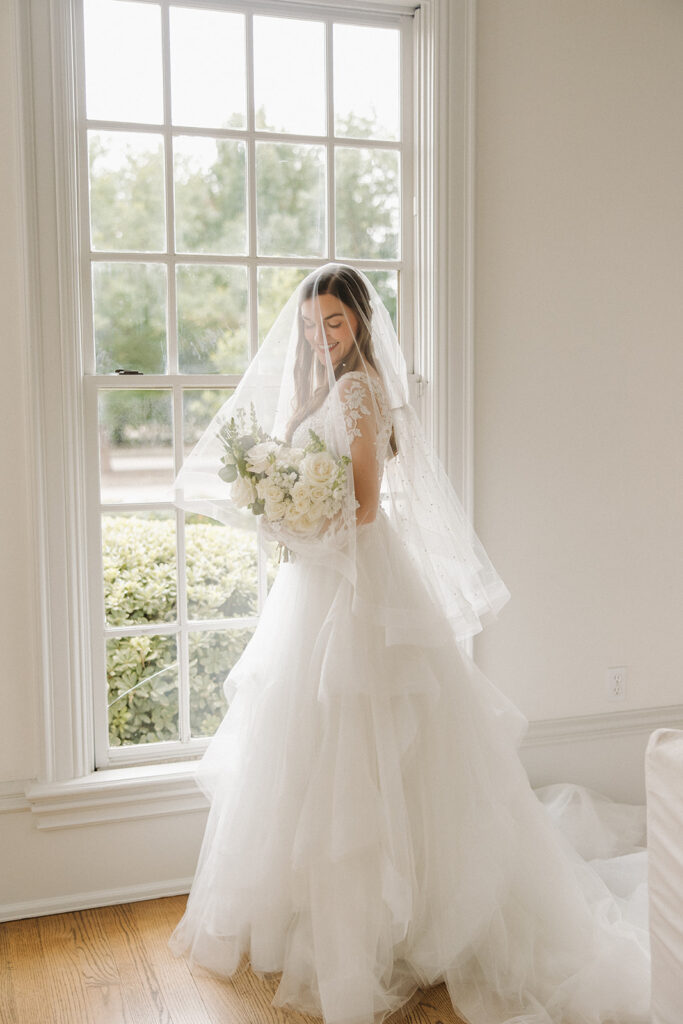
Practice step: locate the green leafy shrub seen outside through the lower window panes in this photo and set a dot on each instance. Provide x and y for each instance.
(139, 557)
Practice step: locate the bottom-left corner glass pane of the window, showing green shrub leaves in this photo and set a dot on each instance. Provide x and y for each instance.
(143, 682)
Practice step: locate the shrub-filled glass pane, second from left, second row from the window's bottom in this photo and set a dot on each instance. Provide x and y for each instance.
(221, 565)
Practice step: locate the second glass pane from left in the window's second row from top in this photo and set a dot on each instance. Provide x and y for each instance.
(210, 196)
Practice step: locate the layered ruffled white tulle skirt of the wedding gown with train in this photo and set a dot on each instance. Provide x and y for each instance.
(372, 830)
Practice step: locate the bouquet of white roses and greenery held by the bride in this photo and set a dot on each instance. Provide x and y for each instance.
(298, 488)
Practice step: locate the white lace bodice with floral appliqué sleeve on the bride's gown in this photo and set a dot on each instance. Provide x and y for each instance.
(358, 404)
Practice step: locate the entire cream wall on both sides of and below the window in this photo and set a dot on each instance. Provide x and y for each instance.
(579, 317)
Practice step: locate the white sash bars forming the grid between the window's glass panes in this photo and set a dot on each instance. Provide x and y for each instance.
(177, 382)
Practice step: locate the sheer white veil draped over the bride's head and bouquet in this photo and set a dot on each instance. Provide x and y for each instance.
(286, 389)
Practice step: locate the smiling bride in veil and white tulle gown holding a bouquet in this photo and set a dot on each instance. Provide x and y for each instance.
(372, 830)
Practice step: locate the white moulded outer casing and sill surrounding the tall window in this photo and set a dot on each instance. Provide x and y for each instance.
(68, 791)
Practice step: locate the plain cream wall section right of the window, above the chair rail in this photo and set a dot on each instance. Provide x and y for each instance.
(580, 348)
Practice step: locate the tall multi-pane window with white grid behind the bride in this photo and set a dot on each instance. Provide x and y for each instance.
(225, 152)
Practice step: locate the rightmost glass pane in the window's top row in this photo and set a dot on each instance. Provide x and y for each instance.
(367, 89)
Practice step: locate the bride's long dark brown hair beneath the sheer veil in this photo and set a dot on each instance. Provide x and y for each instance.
(311, 379)
